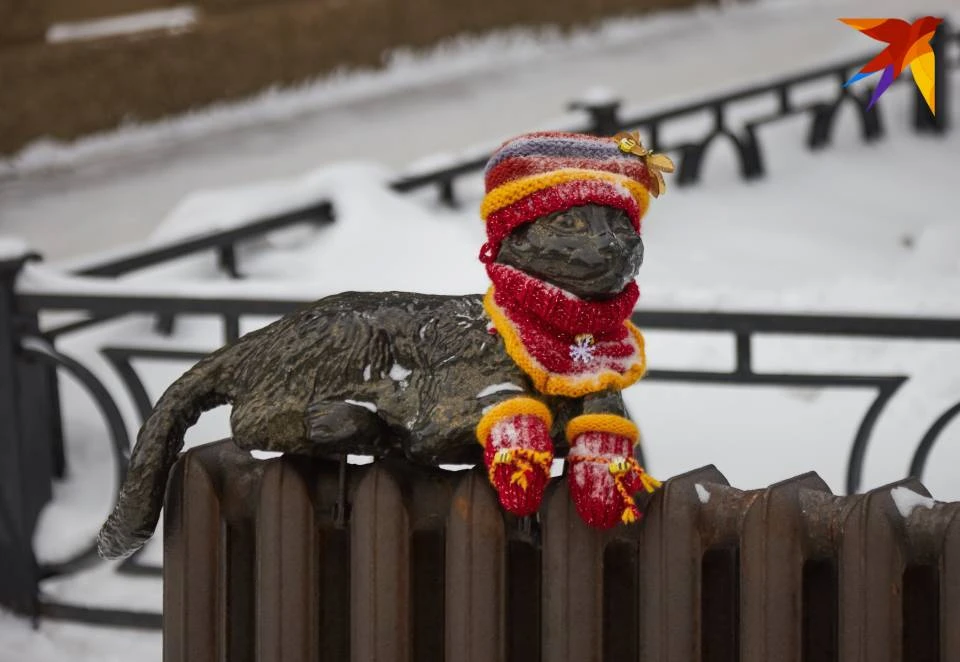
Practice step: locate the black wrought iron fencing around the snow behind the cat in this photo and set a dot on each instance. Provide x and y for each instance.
(30, 433)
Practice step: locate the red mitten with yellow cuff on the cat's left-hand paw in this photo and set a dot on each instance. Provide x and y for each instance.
(518, 452)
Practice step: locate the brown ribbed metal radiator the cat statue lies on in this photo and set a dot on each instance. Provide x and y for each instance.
(297, 560)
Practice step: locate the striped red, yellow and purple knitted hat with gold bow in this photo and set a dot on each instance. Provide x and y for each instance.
(540, 173)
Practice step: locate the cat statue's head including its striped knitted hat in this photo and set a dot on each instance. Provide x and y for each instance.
(566, 208)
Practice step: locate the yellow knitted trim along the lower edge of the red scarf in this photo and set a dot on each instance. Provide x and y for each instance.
(571, 386)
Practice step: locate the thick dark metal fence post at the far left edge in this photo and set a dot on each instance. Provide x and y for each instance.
(18, 507)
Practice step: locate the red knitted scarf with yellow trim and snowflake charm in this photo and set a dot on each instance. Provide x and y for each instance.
(568, 346)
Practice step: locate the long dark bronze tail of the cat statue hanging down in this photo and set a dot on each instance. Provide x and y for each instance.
(135, 516)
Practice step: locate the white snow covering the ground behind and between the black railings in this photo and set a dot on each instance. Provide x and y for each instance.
(856, 228)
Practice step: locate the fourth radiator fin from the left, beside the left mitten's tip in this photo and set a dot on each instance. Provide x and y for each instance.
(475, 570)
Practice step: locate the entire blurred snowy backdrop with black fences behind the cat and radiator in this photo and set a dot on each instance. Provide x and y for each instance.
(190, 172)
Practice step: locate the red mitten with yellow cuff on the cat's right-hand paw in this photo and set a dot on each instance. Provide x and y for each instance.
(603, 473)
